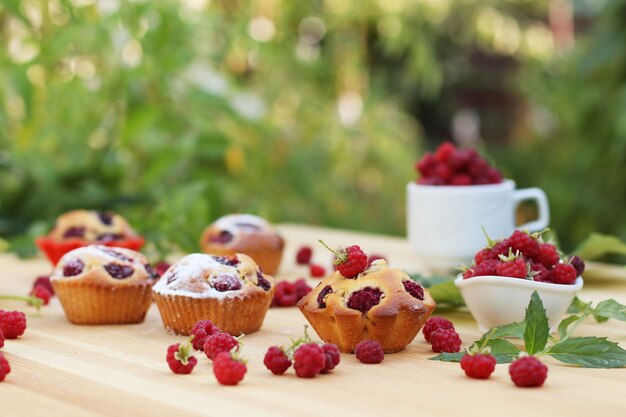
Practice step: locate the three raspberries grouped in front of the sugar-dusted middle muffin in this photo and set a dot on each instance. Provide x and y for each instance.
(221, 348)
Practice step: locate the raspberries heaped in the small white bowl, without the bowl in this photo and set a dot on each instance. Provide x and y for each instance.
(527, 256)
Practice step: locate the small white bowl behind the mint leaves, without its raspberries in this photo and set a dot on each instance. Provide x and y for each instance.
(494, 301)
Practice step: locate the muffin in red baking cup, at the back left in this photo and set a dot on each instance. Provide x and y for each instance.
(86, 227)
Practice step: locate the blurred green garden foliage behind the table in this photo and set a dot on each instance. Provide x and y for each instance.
(174, 113)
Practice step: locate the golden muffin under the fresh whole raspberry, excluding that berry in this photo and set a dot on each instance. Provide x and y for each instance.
(380, 303)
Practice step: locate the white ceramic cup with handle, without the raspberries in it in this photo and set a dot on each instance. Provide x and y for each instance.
(444, 223)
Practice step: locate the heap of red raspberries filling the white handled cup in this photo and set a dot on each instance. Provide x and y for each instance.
(452, 166)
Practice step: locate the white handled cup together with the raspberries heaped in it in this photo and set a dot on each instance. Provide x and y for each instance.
(456, 193)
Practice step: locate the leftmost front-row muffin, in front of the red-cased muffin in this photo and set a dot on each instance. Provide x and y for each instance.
(102, 285)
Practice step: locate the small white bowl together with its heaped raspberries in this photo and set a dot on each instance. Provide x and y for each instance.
(498, 285)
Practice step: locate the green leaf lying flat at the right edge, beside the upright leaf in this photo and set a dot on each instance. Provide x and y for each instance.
(589, 352)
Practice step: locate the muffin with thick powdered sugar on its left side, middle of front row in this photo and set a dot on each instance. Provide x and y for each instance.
(231, 291)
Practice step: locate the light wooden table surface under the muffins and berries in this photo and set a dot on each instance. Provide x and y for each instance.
(59, 369)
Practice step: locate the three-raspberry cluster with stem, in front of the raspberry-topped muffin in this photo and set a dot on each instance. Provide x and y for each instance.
(308, 358)
